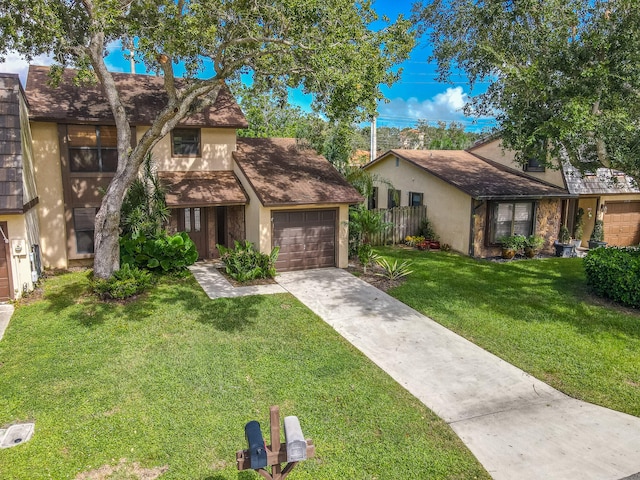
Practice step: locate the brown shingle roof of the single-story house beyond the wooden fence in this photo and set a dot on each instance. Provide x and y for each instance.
(479, 178)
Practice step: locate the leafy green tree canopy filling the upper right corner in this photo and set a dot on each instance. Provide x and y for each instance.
(563, 75)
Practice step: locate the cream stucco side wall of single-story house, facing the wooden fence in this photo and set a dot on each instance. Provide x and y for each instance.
(448, 208)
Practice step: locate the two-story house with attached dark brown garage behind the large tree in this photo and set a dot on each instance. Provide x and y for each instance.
(219, 189)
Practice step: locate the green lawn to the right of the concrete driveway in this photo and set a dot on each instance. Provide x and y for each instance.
(536, 314)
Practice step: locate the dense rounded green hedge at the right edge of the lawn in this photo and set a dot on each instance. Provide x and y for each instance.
(615, 273)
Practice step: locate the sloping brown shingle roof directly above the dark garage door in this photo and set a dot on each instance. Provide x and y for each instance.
(282, 174)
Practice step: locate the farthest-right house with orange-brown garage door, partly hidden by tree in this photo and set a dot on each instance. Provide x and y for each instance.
(608, 194)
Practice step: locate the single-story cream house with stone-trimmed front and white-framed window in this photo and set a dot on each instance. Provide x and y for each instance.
(472, 202)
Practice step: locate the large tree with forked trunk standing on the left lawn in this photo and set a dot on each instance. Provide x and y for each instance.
(326, 47)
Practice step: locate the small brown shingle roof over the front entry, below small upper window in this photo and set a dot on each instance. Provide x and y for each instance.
(197, 189)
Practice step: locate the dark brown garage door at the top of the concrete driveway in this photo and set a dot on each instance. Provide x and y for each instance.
(307, 239)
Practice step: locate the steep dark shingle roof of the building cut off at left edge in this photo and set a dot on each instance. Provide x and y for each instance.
(11, 188)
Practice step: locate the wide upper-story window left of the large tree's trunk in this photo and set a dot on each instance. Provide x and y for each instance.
(92, 148)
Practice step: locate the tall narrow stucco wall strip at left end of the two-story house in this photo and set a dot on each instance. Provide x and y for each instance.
(48, 176)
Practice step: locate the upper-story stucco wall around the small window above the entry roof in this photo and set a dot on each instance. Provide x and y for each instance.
(217, 146)
